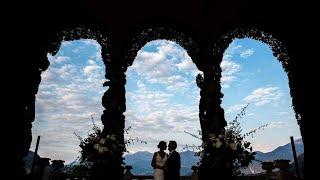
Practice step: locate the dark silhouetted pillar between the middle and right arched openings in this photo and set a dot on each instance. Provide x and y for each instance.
(213, 163)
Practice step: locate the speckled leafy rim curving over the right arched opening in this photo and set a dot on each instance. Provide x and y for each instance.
(279, 50)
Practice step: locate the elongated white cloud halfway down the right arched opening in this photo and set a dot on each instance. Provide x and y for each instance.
(263, 96)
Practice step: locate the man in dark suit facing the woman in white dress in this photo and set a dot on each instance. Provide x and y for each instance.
(173, 162)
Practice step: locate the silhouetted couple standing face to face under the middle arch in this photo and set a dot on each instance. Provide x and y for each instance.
(166, 166)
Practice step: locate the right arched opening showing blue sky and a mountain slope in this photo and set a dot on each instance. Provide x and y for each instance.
(252, 75)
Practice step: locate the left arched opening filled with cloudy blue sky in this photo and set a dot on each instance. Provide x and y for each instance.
(69, 94)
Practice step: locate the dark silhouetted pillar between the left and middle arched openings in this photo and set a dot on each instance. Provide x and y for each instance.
(112, 118)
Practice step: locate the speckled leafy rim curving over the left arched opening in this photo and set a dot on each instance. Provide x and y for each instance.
(52, 45)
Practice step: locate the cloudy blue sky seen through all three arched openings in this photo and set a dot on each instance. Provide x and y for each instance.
(162, 96)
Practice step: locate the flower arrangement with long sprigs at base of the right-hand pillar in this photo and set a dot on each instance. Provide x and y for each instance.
(228, 146)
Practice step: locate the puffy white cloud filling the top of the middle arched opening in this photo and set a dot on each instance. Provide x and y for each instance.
(168, 65)
